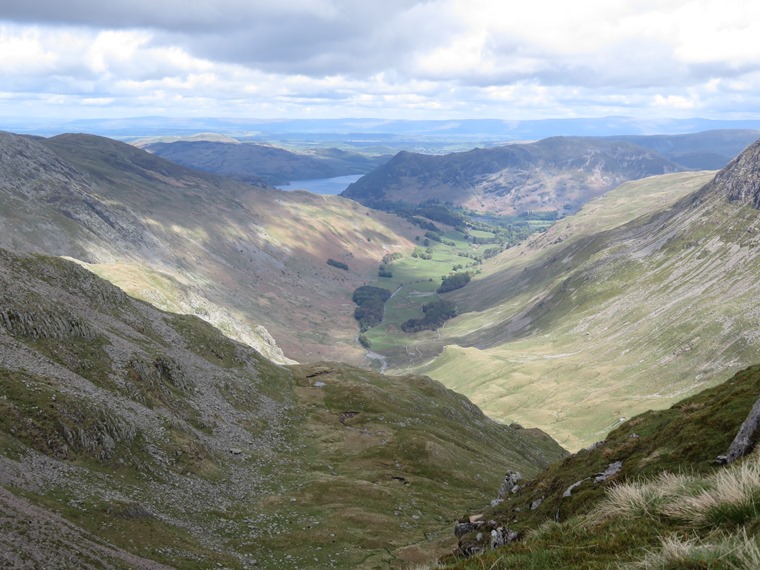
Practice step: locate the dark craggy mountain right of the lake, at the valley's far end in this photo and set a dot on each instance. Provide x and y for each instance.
(558, 174)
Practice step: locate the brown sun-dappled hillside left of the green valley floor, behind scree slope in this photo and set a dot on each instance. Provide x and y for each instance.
(249, 259)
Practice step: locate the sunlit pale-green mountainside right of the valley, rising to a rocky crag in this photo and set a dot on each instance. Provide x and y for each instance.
(593, 322)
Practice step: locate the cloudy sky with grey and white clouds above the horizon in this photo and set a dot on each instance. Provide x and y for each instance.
(391, 59)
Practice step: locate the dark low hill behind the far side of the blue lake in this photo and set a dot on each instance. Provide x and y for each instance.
(257, 162)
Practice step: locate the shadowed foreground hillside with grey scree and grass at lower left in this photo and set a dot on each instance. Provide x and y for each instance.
(130, 437)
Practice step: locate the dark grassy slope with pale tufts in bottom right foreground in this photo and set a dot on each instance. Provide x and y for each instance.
(618, 521)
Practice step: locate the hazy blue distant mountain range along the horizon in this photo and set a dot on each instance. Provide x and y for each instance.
(358, 129)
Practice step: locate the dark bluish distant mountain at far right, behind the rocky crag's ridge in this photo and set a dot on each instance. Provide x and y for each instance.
(708, 150)
